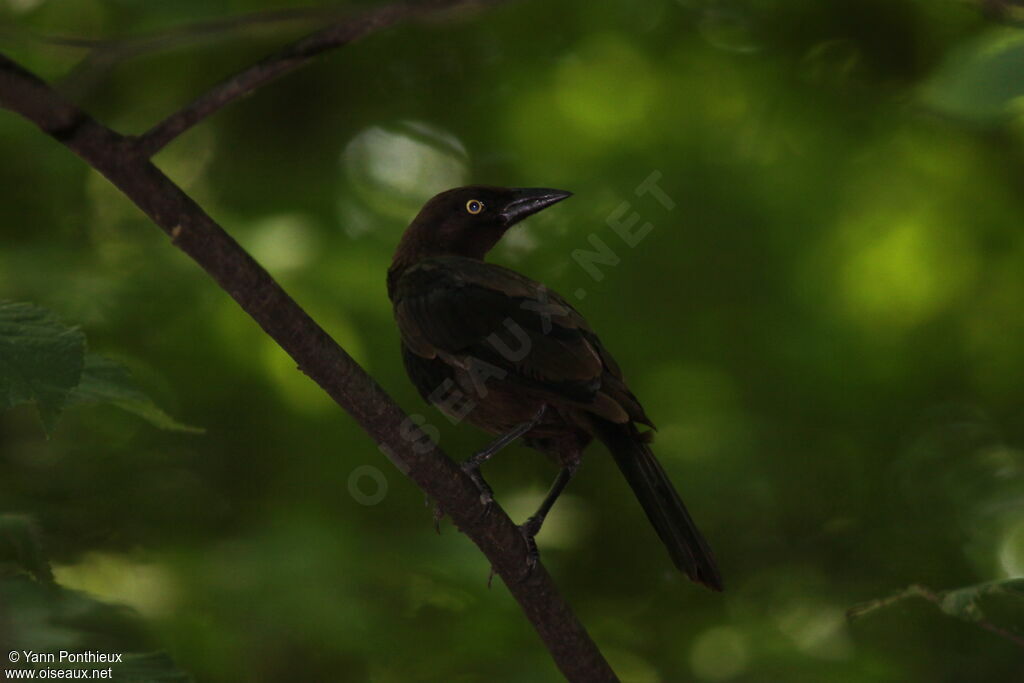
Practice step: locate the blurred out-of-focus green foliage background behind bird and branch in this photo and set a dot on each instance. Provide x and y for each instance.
(826, 326)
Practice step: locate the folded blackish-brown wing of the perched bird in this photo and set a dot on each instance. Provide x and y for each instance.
(463, 311)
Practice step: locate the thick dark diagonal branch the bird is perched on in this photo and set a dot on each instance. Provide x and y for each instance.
(317, 355)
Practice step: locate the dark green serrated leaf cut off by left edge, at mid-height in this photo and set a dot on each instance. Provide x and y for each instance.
(41, 360)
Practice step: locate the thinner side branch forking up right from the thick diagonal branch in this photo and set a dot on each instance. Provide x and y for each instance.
(290, 58)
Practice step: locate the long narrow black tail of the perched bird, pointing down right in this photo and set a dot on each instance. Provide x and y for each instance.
(689, 549)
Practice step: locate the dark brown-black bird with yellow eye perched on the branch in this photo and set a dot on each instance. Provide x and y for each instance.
(490, 347)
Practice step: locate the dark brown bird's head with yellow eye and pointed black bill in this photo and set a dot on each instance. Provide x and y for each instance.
(468, 222)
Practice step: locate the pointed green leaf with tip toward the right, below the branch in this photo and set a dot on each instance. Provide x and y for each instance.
(108, 381)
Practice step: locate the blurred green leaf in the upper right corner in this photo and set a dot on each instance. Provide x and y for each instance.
(980, 82)
